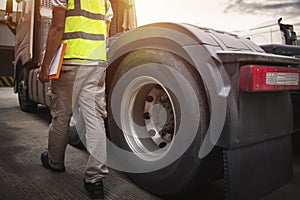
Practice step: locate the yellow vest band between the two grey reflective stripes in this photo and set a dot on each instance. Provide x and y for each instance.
(82, 24)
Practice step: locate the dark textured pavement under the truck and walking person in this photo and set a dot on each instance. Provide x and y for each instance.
(23, 137)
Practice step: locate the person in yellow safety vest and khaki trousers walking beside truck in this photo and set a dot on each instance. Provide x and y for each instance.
(81, 24)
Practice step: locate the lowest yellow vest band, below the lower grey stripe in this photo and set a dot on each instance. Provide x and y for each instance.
(89, 49)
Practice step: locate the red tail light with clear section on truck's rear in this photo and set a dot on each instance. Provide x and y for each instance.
(255, 78)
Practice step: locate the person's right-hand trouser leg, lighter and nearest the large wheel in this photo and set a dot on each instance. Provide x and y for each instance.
(90, 82)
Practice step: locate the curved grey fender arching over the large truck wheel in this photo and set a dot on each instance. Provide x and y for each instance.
(190, 43)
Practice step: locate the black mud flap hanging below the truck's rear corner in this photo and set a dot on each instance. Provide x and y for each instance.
(253, 171)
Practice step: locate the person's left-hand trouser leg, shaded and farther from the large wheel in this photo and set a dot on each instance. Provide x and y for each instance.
(61, 112)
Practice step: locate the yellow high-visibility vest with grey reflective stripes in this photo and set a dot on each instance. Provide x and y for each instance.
(85, 29)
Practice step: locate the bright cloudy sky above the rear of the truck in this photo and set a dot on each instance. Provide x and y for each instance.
(227, 15)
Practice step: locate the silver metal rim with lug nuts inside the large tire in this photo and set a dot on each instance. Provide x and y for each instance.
(148, 118)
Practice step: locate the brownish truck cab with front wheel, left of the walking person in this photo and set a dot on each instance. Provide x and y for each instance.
(33, 22)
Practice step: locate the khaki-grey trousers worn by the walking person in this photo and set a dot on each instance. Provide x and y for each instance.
(80, 89)
